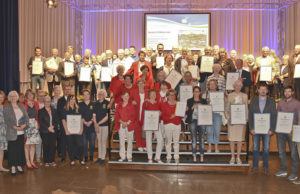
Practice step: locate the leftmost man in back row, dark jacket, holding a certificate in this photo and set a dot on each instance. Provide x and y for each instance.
(37, 78)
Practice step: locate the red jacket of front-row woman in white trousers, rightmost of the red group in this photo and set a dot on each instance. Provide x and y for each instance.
(167, 111)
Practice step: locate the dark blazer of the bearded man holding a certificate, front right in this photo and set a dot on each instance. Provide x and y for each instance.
(270, 107)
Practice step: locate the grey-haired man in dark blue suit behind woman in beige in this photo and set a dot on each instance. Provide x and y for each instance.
(244, 76)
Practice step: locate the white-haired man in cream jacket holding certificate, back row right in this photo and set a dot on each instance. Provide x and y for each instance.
(267, 61)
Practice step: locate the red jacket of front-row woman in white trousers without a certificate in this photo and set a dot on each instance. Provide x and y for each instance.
(125, 114)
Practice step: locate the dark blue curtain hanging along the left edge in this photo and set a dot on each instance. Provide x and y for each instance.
(9, 46)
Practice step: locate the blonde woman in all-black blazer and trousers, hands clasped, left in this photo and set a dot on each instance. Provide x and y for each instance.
(48, 121)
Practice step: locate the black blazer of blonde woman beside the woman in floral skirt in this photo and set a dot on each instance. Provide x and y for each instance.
(44, 120)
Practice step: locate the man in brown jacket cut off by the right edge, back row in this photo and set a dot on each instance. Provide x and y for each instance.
(293, 60)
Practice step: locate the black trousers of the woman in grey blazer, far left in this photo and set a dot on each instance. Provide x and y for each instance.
(16, 153)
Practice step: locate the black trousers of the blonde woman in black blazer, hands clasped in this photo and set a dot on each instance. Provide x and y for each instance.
(49, 140)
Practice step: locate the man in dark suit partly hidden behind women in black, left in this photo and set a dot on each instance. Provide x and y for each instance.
(61, 137)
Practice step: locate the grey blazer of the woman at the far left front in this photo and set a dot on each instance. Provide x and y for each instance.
(11, 121)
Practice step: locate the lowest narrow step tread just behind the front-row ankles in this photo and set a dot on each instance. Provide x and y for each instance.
(182, 152)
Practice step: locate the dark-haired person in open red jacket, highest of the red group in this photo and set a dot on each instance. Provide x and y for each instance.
(135, 68)
